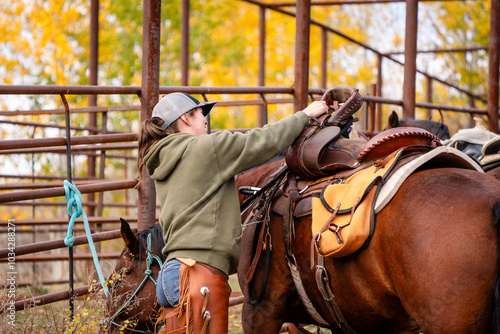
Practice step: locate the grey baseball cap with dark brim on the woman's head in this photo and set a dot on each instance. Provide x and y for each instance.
(174, 105)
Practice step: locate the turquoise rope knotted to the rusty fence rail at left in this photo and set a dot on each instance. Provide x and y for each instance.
(75, 210)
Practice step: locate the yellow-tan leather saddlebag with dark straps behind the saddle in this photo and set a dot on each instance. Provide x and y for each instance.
(342, 214)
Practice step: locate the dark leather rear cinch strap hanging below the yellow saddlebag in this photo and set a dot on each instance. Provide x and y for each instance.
(324, 287)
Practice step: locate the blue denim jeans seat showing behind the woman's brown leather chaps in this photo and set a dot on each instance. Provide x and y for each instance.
(167, 285)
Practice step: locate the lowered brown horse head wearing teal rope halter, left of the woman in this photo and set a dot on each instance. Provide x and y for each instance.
(132, 287)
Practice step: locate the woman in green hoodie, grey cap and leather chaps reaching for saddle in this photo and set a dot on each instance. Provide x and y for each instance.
(200, 216)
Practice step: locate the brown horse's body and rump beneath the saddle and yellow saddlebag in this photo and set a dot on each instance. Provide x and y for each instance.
(431, 264)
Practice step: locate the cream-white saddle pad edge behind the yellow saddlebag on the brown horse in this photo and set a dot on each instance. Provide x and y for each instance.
(443, 156)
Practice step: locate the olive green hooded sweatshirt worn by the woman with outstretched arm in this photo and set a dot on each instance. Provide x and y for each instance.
(194, 177)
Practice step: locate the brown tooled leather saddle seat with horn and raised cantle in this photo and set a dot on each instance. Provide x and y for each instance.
(329, 145)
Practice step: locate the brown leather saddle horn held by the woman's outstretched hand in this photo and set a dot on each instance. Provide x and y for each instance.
(349, 96)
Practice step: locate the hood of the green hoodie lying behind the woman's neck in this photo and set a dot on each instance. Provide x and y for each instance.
(165, 154)
